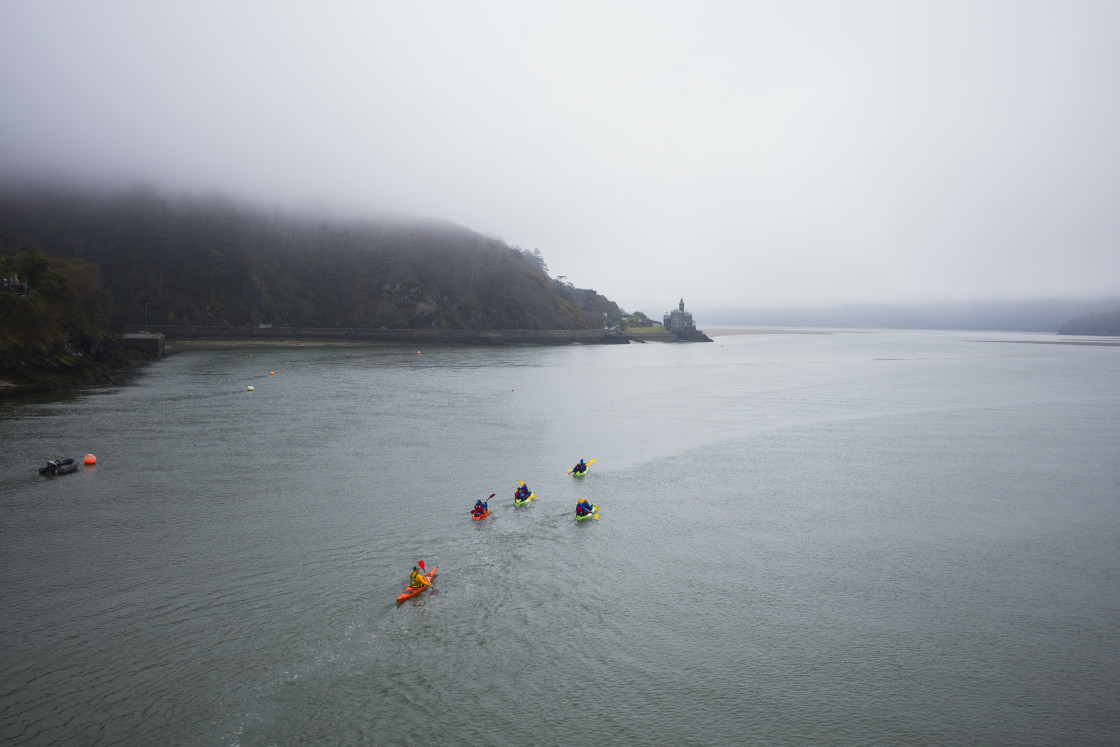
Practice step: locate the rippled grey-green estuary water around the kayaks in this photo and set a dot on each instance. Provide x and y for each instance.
(836, 539)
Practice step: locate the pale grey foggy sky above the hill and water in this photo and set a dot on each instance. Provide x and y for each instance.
(736, 154)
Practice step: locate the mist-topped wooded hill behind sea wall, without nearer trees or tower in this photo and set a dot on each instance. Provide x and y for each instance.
(208, 260)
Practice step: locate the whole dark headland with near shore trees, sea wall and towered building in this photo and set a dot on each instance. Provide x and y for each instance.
(94, 282)
